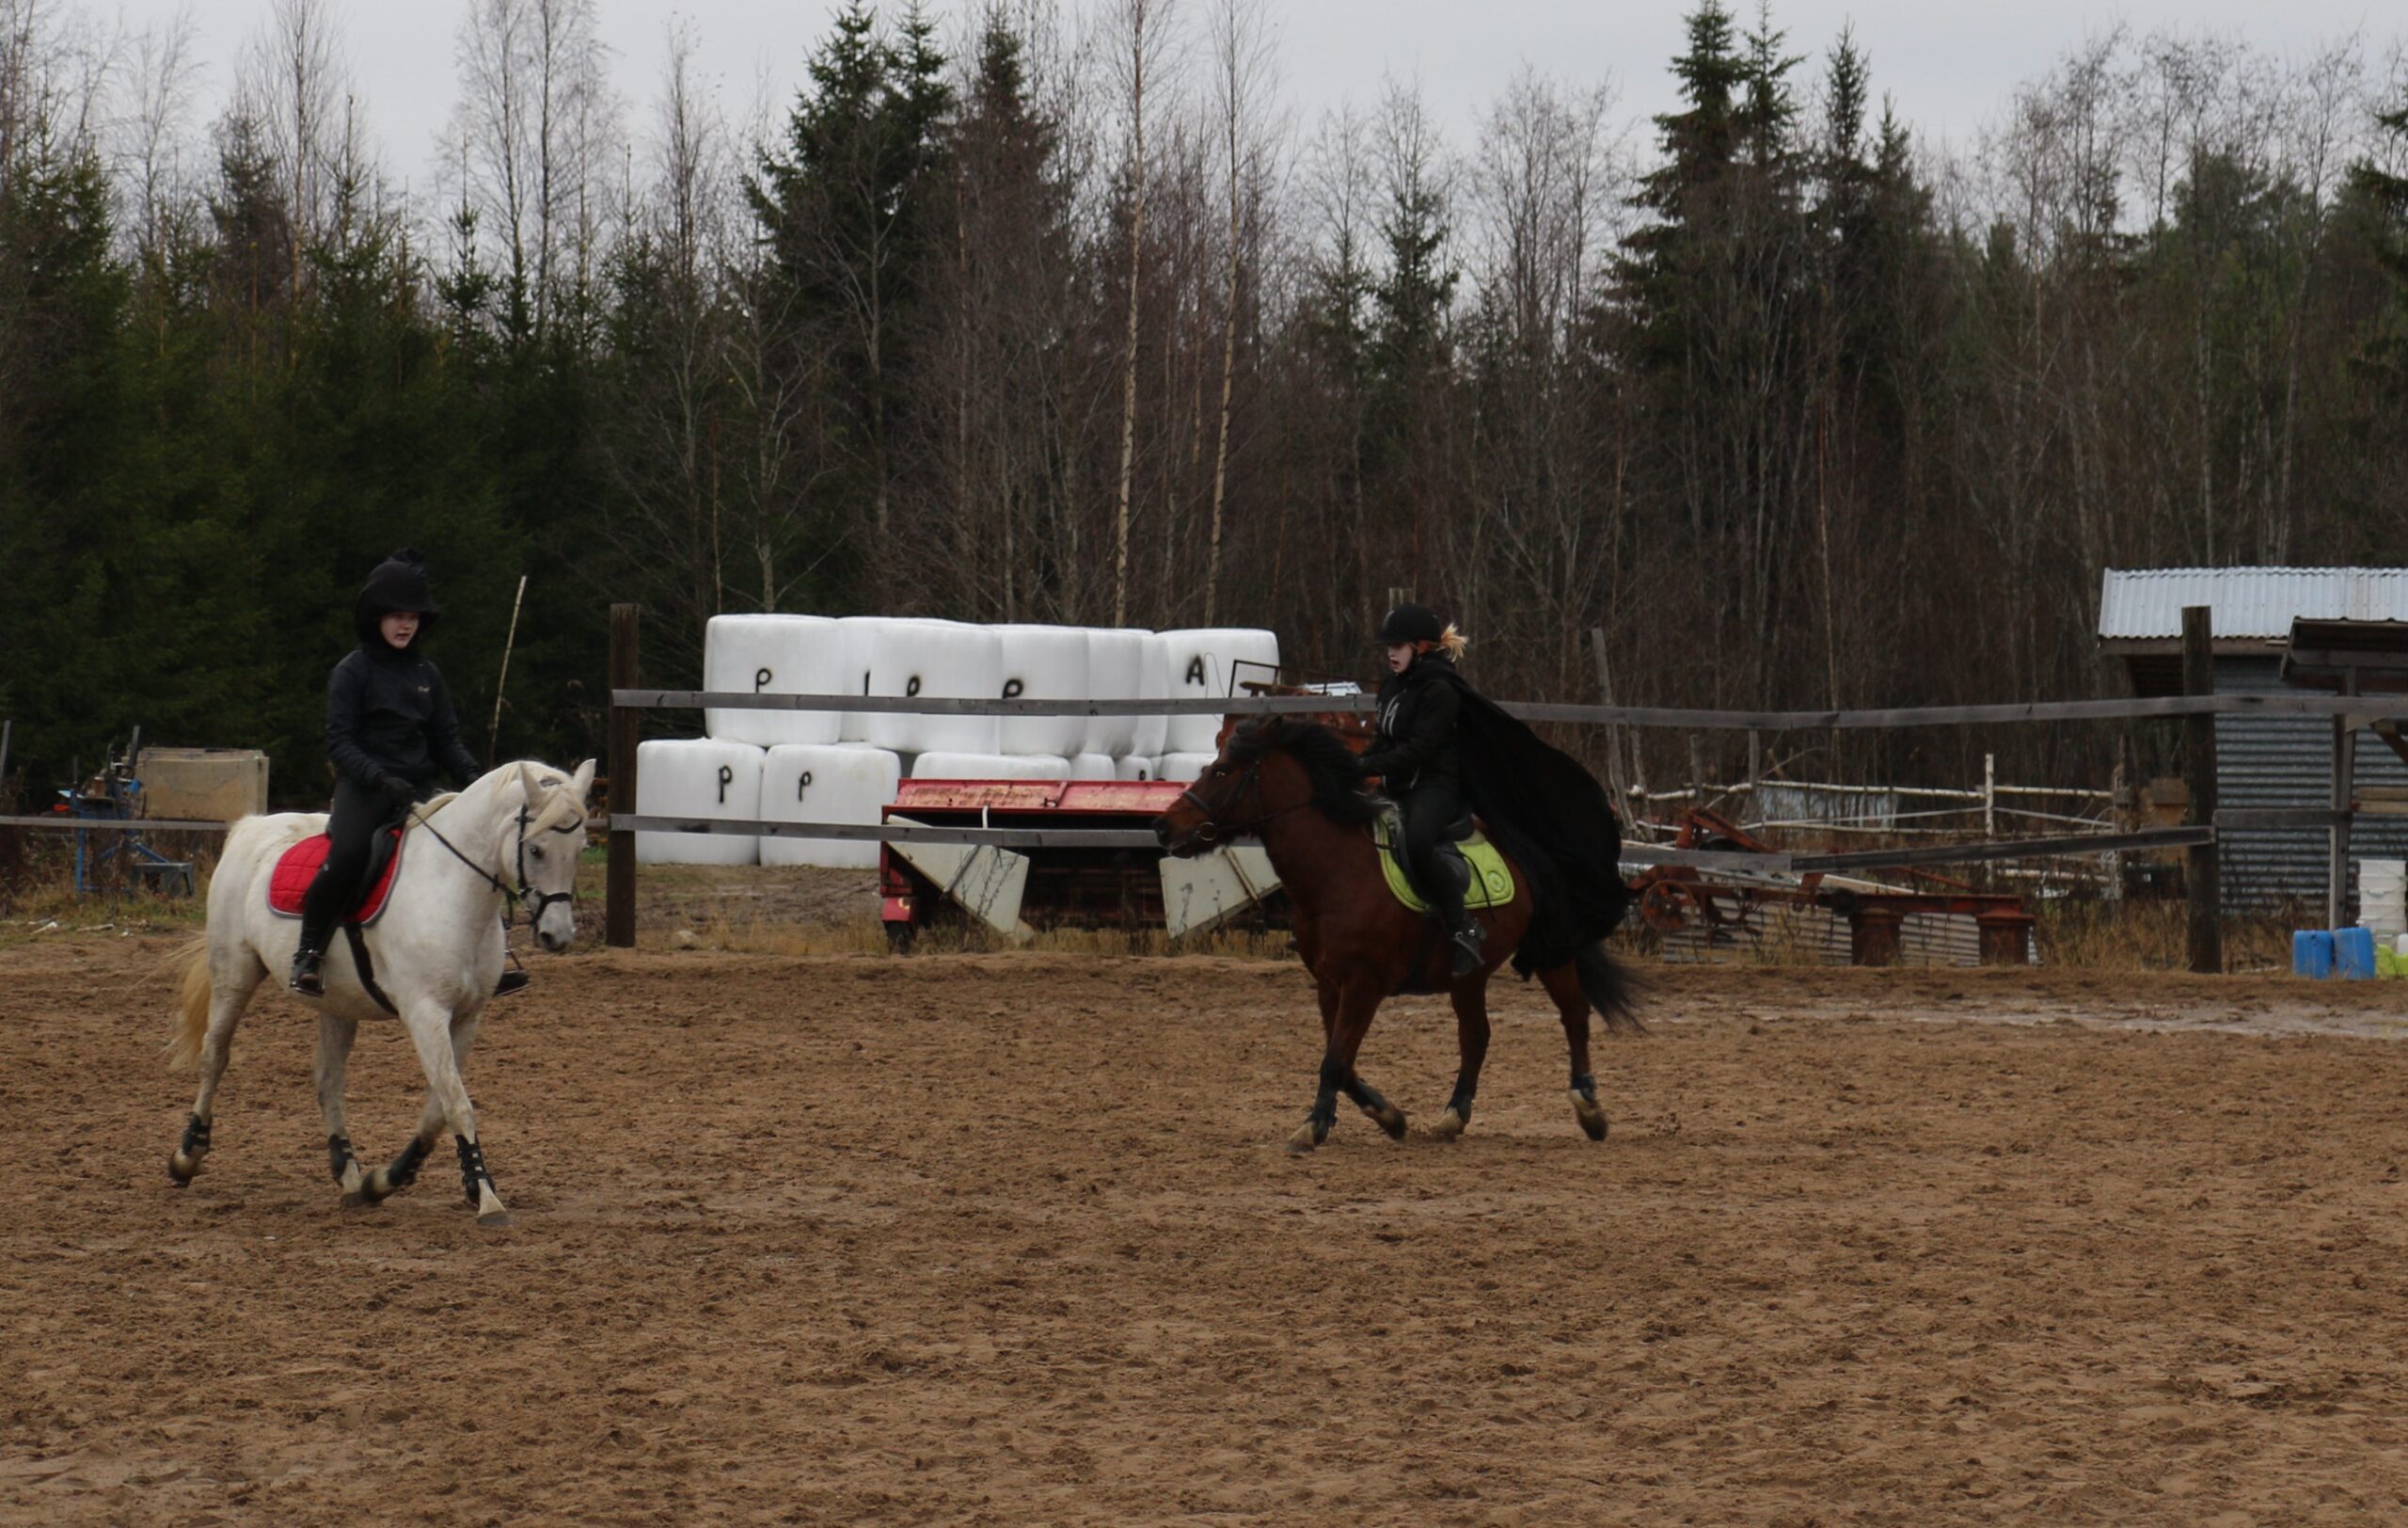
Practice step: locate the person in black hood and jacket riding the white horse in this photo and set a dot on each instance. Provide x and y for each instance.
(391, 731)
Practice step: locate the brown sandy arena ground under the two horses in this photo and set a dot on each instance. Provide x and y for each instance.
(1010, 1240)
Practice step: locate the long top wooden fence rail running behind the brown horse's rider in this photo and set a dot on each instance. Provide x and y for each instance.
(1636, 717)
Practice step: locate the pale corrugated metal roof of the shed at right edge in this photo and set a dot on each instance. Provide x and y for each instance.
(2248, 604)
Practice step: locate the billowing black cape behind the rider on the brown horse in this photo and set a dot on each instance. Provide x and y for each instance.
(1552, 818)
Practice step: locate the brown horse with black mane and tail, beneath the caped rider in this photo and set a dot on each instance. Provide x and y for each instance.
(1294, 787)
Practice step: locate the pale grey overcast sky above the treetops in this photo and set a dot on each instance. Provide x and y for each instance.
(1949, 64)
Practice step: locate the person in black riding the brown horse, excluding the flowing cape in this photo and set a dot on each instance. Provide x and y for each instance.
(1420, 760)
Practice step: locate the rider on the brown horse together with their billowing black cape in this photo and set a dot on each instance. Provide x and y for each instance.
(1444, 748)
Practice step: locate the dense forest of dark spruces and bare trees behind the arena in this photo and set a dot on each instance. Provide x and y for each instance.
(1068, 312)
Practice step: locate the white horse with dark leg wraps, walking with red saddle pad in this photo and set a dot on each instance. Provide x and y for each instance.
(437, 953)
